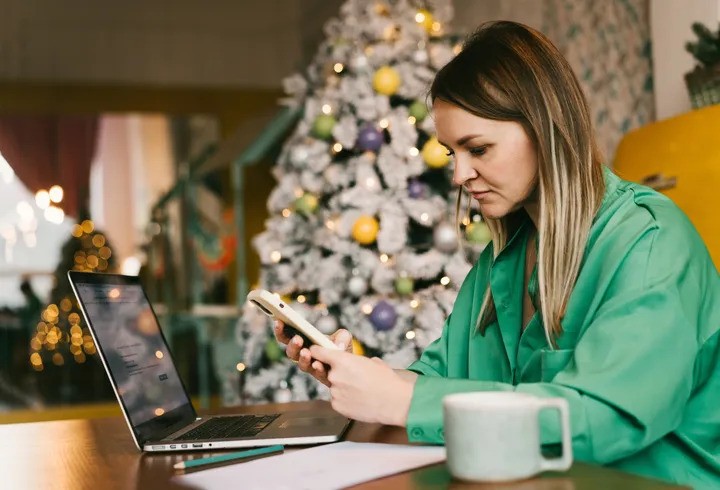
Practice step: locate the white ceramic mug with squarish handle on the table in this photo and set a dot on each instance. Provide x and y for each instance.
(495, 436)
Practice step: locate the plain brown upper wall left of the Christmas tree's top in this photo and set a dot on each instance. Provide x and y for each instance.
(177, 42)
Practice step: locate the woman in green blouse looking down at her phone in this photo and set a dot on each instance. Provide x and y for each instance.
(593, 289)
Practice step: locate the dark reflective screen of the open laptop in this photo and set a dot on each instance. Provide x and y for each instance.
(134, 350)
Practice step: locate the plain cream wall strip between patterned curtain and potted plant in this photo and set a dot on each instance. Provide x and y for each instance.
(670, 22)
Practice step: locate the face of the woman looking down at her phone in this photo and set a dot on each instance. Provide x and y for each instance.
(494, 160)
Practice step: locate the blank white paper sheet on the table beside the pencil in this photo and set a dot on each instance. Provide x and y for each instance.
(331, 466)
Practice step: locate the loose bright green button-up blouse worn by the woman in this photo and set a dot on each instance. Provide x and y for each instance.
(639, 357)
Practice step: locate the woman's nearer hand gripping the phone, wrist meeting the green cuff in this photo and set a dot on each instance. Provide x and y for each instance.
(365, 389)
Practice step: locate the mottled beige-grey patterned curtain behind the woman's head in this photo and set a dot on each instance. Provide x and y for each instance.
(608, 45)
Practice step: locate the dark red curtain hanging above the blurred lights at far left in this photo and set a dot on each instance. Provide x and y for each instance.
(48, 150)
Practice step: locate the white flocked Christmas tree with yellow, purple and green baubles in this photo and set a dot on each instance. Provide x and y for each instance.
(362, 230)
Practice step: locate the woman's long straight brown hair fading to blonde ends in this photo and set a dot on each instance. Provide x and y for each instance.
(510, 72)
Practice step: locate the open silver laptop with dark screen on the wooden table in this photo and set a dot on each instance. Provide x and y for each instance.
(152, 396)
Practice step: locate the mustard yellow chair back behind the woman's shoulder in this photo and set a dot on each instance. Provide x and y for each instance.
(680, 157)
